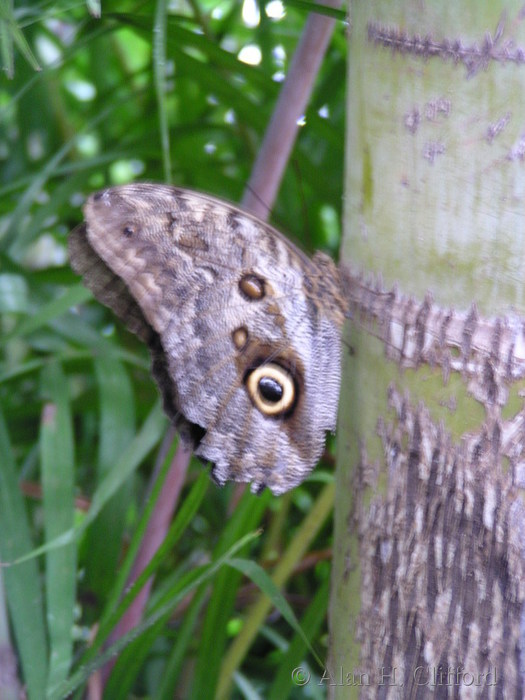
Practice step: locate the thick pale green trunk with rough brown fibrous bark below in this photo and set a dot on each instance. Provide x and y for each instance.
(429, 575)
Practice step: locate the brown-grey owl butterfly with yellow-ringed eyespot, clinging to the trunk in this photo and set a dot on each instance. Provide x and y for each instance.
(243, 328)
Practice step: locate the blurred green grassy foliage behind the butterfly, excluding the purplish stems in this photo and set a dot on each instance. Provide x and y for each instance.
(161, 91)
